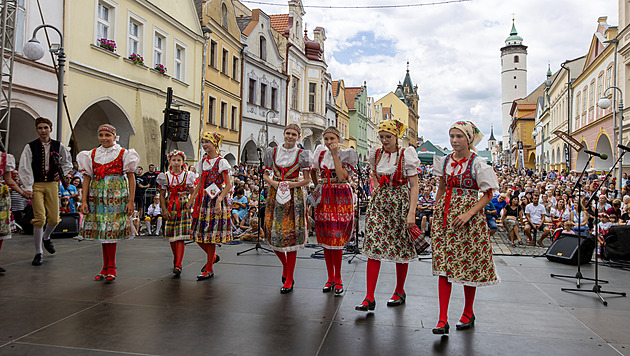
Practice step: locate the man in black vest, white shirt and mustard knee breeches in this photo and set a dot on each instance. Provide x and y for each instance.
(43, 163)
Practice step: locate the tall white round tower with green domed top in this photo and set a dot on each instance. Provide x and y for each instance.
(513, 79)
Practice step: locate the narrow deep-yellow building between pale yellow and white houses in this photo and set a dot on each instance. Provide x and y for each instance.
(223, 87)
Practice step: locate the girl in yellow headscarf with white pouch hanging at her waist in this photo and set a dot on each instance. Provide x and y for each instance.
(211, 222)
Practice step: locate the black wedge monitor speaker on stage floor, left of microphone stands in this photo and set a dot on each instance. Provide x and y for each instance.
(565, 248)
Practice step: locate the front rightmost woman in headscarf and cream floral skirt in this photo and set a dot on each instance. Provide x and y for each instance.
(462, 251)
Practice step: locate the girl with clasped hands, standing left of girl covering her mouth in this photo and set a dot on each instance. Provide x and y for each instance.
(285, 213)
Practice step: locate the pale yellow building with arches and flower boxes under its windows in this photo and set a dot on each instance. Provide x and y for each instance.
(106, 86)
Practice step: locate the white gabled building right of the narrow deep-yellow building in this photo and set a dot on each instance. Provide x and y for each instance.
(264, 86)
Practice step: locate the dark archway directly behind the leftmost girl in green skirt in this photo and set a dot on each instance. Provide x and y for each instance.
(102, 112)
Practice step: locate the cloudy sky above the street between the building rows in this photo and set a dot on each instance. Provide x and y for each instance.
(453, 49)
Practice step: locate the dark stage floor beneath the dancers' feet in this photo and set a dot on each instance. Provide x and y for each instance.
(57, 309)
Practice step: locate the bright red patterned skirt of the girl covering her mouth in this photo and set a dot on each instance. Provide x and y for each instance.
(334, 216)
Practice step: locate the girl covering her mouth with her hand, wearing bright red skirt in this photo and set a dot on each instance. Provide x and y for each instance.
(334, 210)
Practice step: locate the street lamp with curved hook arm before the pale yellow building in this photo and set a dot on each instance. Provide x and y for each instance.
(34, 51)
